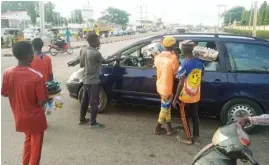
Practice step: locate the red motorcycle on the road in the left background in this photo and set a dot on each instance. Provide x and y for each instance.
(59, 46)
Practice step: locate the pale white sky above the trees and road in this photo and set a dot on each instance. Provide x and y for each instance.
(171, 11)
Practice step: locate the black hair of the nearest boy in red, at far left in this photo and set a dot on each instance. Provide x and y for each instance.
(22, 50)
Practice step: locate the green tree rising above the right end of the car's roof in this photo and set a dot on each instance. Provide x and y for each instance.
(233, 14)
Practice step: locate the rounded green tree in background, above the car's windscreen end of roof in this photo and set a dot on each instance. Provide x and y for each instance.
(117, 16)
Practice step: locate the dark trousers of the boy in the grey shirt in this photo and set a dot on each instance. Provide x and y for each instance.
(90, 97)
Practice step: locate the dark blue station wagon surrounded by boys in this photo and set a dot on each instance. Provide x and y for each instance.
(235, 85)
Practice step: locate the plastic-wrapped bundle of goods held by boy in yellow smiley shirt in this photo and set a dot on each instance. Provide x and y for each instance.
(204, 53)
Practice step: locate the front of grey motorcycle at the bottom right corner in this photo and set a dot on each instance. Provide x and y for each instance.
(229, 143)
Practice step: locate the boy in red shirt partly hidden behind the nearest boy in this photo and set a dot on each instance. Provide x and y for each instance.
(41, 62)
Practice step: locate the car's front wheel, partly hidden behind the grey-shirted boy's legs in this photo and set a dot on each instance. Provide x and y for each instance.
(102, 102)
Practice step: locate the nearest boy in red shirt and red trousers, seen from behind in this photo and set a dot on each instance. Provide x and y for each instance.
(27, 94)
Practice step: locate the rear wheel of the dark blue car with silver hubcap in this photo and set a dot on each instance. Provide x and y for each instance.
(237, 108)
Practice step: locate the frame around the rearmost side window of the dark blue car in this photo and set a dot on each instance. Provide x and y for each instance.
(228, 63)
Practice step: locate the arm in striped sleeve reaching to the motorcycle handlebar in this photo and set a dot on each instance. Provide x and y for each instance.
(255, 120)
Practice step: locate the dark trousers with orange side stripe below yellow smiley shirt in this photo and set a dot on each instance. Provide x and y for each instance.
(190, 110)
